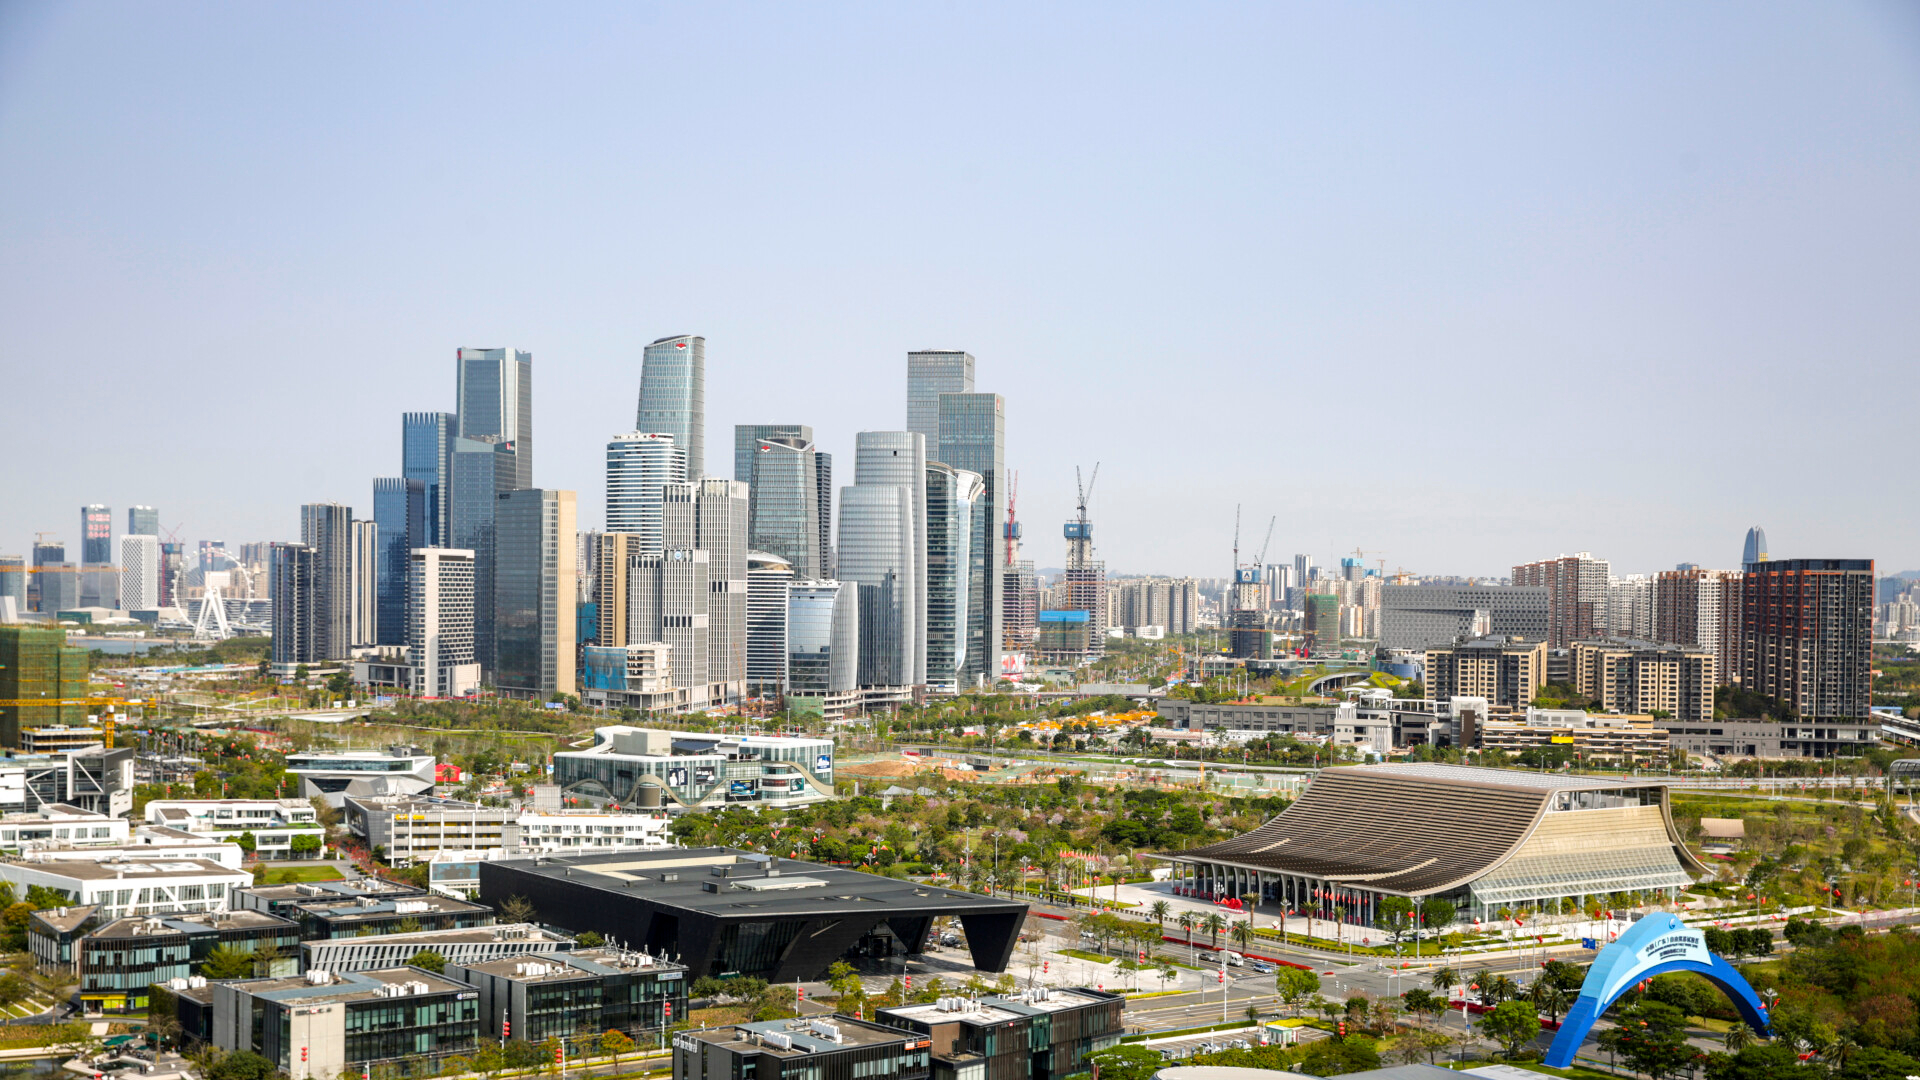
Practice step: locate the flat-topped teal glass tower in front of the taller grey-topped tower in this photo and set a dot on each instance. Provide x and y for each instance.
(974, 439)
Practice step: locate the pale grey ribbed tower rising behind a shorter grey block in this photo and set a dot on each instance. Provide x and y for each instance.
(711, 516)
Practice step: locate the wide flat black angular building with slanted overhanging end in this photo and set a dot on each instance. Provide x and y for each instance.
(725, 912)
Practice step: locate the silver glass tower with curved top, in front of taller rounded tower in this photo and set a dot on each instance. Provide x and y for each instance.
(876, 556)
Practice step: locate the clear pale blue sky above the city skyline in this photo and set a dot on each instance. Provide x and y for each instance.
(1464, 285)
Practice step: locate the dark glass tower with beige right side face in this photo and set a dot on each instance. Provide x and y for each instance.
(535, 593)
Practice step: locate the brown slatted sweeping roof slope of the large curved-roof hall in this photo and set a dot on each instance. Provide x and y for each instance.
(1399, 829)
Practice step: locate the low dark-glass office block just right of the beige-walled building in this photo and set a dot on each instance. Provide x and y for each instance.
(581, 993)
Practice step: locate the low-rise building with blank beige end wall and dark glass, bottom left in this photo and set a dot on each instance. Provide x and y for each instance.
(327, 1025)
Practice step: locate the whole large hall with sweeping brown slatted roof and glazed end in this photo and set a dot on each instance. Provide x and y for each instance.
(1483, 839)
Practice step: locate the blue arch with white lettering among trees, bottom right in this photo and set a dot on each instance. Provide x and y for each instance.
(1658, 945)
